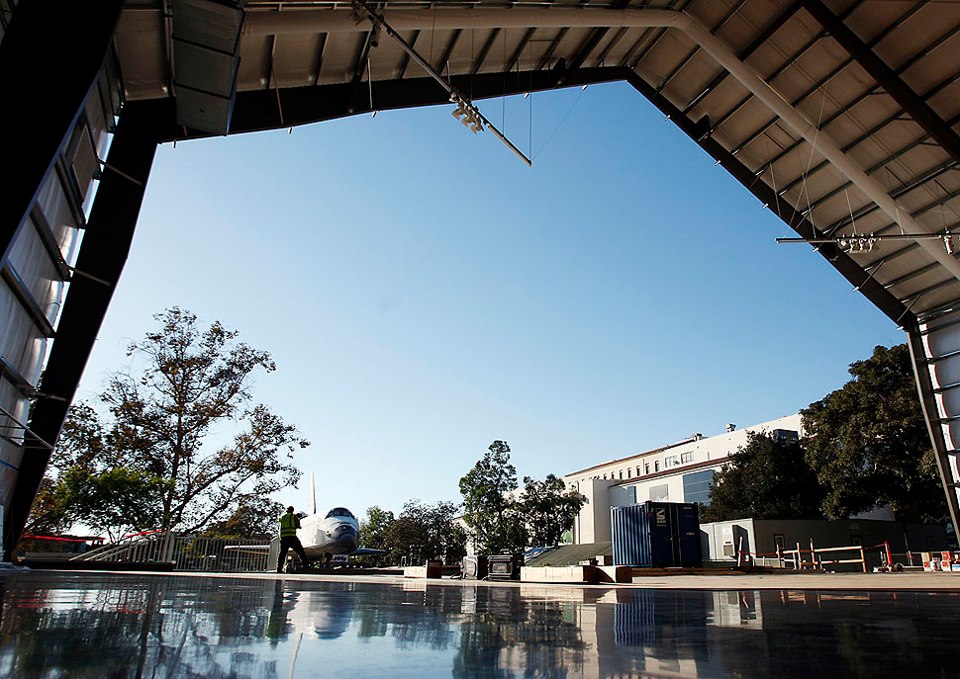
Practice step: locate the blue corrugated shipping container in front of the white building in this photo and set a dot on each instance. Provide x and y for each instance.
(656, 535)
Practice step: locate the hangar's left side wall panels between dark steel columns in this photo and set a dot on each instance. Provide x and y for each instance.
(37, 267)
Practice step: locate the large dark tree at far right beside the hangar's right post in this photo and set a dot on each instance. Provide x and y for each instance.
(868, 442)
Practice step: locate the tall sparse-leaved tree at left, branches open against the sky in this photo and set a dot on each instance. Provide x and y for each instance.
(190, 382)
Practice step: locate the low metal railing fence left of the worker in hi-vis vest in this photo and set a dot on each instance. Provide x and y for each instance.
(186, 552)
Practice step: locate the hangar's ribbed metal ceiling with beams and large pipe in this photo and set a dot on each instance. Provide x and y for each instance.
(848, 130)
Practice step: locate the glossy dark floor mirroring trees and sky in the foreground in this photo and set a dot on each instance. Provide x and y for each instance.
(60, 624)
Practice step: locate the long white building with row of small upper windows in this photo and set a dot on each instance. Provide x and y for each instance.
(679, 472)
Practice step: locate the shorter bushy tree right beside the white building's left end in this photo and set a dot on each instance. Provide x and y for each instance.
(549, 509)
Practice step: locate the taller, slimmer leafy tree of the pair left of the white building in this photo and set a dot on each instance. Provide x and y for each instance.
(492, 515)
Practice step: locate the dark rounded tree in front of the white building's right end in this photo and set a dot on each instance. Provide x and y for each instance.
(768, 478)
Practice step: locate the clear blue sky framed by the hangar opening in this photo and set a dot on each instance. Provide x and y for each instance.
(424, 293)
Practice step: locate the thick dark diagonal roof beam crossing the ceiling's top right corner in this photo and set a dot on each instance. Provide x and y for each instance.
(885, 76)
